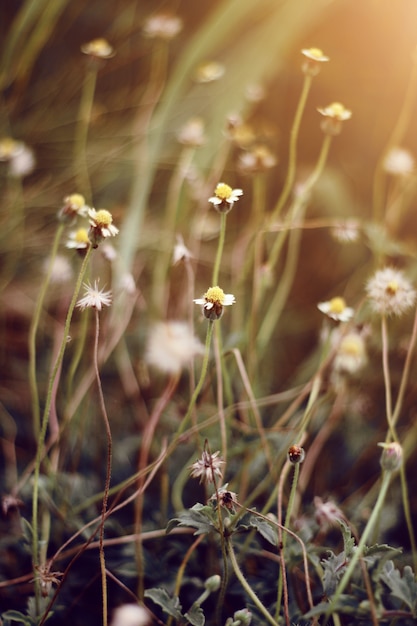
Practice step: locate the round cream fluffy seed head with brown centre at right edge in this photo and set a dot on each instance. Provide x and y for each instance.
(390, 292)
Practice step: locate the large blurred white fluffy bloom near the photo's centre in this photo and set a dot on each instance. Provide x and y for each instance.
(172, 346)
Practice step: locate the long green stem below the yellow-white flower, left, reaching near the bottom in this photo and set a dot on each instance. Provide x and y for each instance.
(45, 417)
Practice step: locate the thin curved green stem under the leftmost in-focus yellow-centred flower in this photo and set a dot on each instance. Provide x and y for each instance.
(33, 331)
